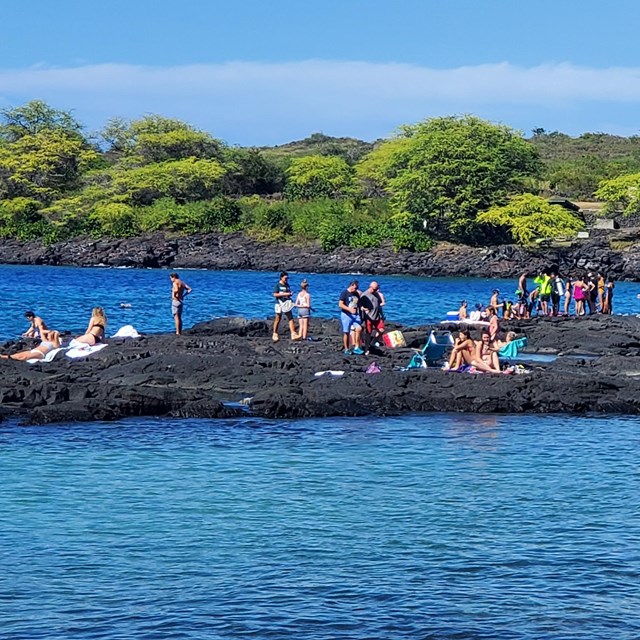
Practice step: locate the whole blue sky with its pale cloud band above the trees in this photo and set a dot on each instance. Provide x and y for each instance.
(258, 72)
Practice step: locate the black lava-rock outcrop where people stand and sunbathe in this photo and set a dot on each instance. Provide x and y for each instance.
(230, 366)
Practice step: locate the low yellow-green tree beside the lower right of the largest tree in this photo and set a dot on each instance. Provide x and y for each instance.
(527, 218)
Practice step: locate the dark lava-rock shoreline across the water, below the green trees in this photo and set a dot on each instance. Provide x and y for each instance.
(237, 251)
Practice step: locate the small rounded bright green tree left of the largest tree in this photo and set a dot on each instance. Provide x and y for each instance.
(319, 177)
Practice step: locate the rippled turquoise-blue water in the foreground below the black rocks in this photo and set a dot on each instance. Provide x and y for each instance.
(434, 526)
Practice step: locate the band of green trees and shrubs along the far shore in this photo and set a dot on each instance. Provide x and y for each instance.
(460, 179)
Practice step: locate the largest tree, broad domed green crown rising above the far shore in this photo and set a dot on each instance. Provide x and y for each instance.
(451, 168)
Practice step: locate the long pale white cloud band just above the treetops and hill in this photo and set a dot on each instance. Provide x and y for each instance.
(264, 103)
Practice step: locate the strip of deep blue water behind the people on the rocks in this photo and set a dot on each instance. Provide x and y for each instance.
(64, 296)
